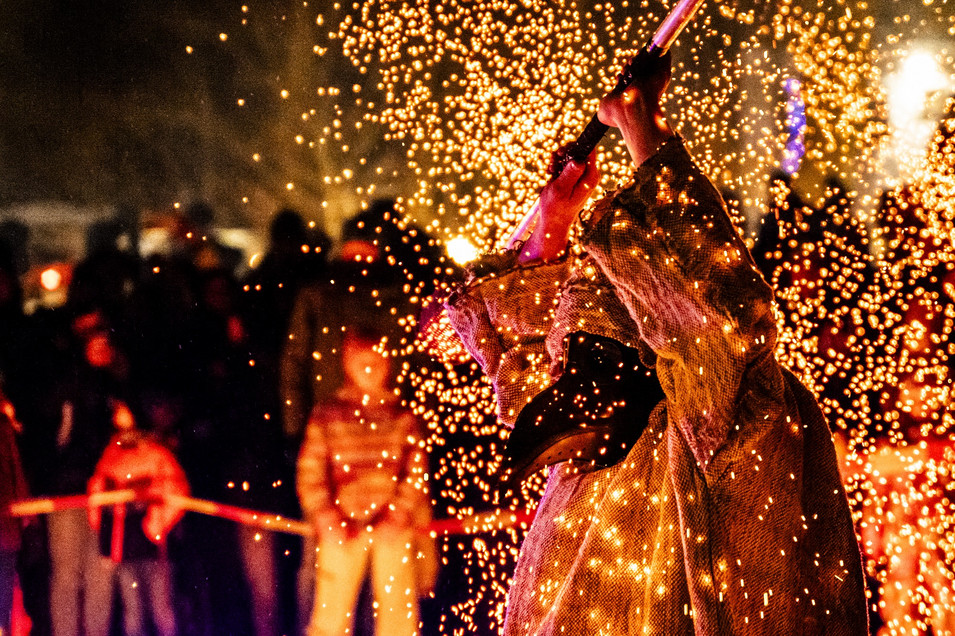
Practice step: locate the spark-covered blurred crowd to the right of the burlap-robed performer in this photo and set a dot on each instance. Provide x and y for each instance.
(866, 314)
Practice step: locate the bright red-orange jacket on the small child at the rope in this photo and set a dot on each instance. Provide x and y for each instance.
(134, 460)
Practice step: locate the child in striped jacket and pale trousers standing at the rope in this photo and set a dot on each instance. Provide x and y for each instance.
(360, 474)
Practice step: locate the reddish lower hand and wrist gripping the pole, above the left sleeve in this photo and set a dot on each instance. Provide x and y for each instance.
(560, 202)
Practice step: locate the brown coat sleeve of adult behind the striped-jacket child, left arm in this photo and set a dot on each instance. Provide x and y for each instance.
(295, 365)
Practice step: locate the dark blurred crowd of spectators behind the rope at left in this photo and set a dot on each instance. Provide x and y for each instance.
(172, 373)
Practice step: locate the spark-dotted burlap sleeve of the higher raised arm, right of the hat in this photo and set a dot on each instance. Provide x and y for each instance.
(688, 281)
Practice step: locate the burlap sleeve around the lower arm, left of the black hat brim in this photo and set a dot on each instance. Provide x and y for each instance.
(503, 319)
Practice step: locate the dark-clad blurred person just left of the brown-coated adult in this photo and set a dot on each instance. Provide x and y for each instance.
(258, 455)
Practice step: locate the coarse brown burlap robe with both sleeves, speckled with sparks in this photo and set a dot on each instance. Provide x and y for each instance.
(728, 515)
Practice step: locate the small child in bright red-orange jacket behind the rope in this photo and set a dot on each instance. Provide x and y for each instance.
(135, 460)
